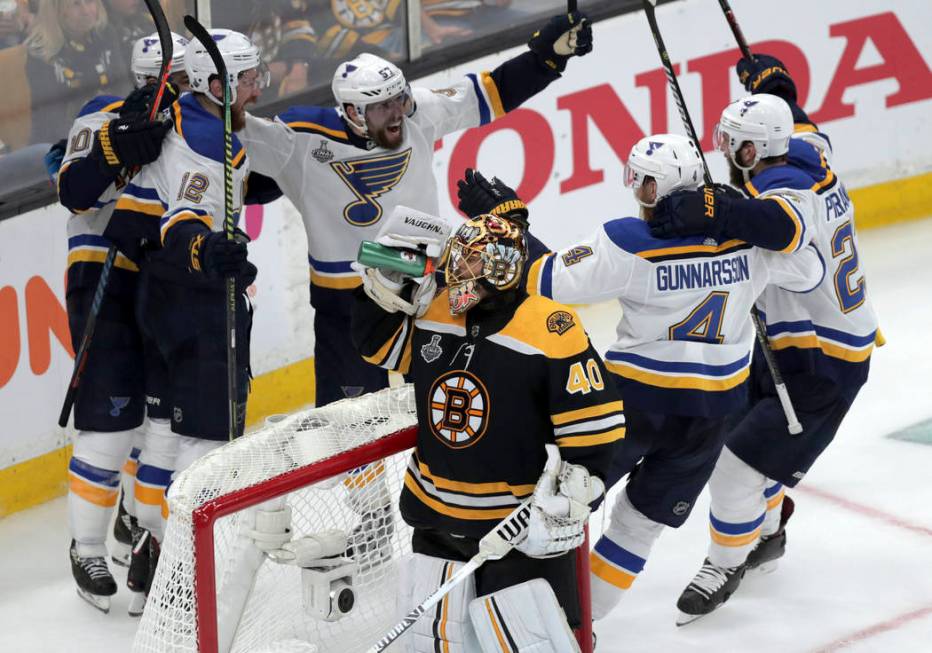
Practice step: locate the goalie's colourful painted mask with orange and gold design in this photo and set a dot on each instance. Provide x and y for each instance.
(485, 252)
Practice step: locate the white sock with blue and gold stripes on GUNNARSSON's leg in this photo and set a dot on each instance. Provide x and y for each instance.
(620, 554)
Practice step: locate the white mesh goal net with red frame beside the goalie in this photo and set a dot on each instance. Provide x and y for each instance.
(359, 498)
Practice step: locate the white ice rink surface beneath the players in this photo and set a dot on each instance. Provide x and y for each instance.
(857, 576)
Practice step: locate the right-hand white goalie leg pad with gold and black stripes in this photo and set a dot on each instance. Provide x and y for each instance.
(524, 617)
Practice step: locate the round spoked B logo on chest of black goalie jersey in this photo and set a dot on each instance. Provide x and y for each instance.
(459, 409)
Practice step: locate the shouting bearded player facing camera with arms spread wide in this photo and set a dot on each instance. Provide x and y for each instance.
(346, 167)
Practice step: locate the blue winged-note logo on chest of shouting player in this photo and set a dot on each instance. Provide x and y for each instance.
(369, 179)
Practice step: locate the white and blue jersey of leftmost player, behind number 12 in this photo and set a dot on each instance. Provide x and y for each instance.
(87, 247)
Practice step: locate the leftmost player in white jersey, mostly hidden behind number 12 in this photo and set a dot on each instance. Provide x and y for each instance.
(109, 137)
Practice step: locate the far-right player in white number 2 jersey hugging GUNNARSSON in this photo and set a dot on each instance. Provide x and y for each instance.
(822, 340)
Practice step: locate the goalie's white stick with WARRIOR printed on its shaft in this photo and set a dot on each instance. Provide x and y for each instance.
(495, 545)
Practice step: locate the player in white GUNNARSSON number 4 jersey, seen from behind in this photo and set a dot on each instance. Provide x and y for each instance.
(683, 351)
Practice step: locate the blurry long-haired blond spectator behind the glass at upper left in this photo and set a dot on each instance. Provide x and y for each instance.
(74, 56)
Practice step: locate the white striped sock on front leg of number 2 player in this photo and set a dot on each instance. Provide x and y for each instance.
(737, 511)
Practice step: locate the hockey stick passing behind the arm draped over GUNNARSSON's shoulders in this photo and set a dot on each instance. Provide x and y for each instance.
(792, 422)
